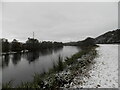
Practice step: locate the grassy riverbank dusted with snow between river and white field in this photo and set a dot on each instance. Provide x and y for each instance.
(62, 75)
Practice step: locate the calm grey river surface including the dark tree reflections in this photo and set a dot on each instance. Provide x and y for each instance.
(21, 67)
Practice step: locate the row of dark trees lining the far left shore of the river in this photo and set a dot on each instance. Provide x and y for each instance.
(31, 45)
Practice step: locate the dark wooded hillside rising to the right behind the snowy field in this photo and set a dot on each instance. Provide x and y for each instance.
(110, 37)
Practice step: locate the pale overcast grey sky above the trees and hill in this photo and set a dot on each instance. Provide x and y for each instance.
(60, 21)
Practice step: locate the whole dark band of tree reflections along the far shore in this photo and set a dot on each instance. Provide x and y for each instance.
(29, 56)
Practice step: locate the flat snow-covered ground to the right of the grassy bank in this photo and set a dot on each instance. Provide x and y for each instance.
(104, 73)
